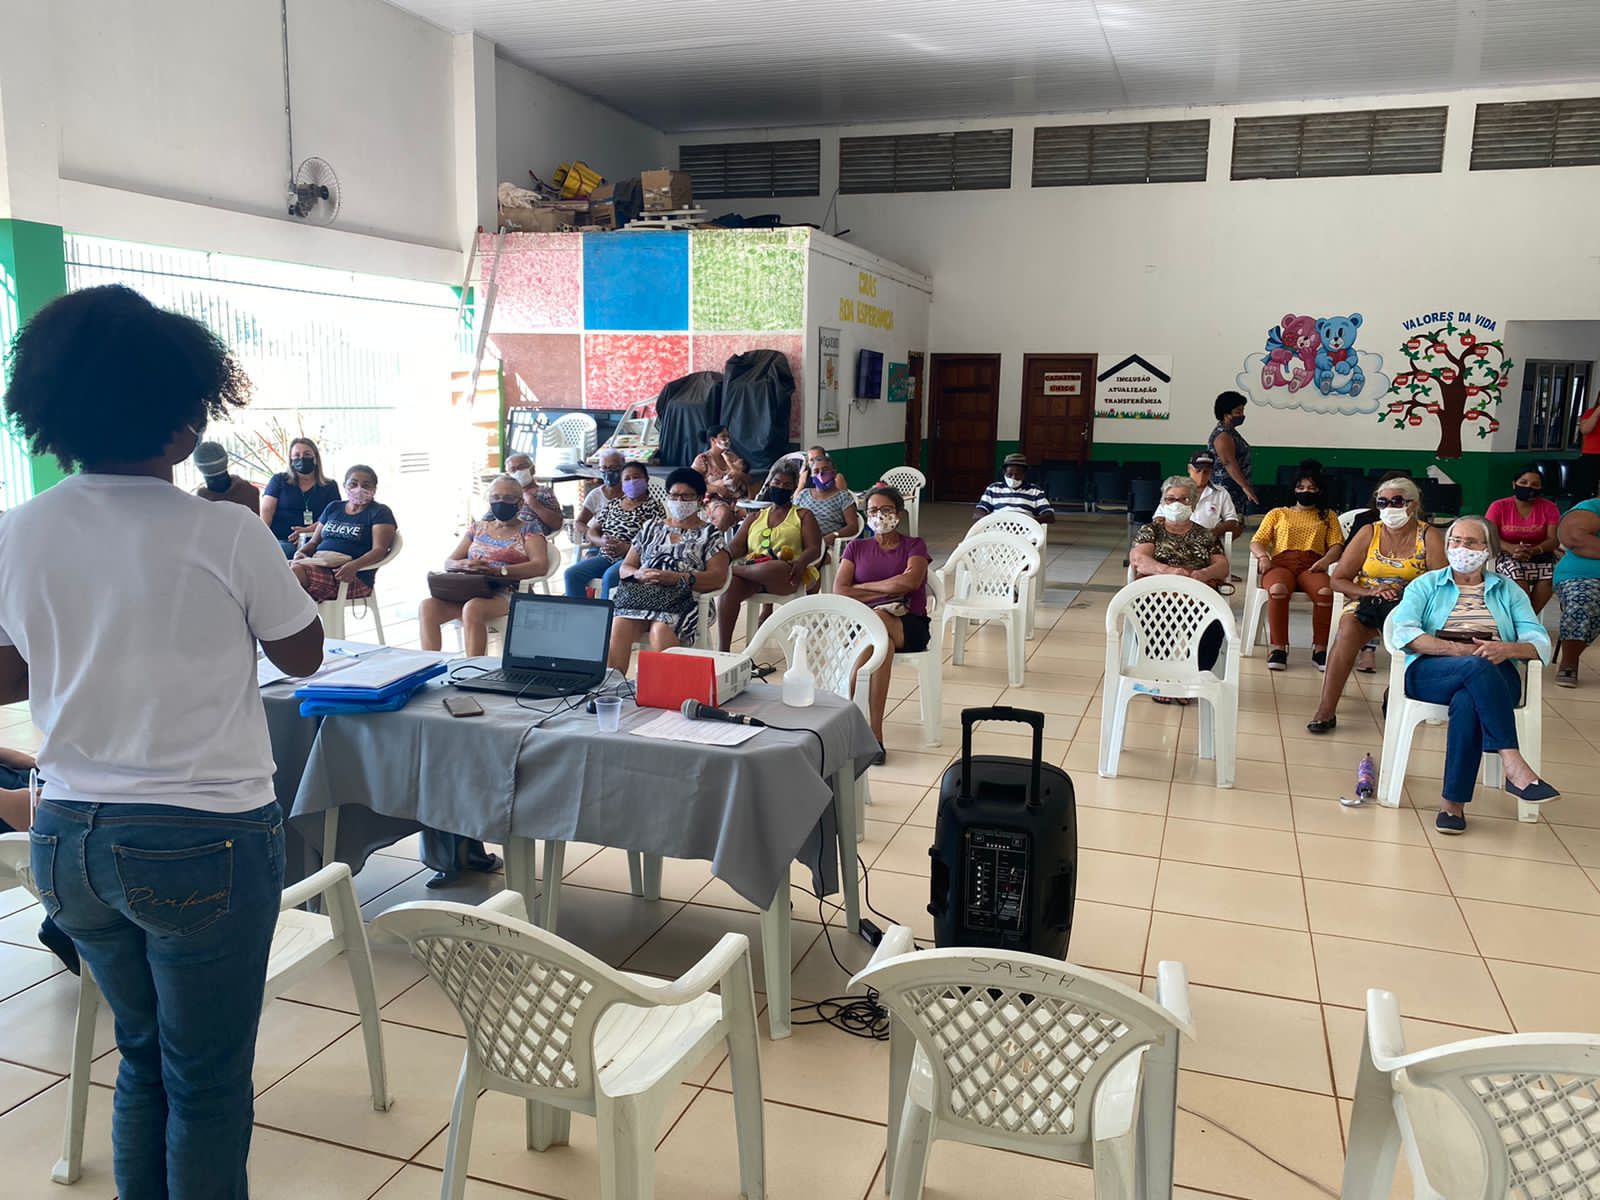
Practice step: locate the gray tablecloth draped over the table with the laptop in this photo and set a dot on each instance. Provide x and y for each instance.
(750, 810)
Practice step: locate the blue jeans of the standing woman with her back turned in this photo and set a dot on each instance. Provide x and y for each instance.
(174, 913)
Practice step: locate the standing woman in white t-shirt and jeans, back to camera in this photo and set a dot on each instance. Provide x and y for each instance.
(159, 846)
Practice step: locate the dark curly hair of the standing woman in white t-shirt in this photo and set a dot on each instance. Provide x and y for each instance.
(103, 377)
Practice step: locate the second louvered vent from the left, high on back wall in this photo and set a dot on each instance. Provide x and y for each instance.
(926, 162)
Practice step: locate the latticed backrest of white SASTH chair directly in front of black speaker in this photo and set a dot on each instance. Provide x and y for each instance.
(1018, 1044)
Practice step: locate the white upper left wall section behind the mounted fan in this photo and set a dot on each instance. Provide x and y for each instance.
(183, 100)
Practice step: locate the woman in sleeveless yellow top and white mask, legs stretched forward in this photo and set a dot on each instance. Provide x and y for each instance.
(1377, 564)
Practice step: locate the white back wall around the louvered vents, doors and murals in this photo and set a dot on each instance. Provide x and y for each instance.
(1202, 271)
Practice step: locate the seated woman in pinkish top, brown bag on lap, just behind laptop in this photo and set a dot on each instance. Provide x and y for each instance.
(502, 551)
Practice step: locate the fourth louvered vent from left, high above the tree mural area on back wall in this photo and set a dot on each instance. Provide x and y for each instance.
(1322, 145)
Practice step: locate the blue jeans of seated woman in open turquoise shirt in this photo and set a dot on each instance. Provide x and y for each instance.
(1482, 700)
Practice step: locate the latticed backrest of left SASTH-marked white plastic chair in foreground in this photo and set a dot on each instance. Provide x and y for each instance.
(530, 1002)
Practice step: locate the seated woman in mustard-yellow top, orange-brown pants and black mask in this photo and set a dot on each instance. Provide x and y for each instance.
(1294, 548)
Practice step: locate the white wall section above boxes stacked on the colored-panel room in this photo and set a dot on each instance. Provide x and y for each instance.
(543, 124)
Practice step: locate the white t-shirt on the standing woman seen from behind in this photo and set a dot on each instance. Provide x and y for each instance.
(138, 609)
